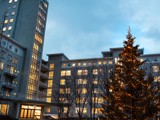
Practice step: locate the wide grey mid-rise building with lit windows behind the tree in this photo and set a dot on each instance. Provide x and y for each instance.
(78, 82)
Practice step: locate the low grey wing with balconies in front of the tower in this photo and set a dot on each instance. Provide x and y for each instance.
(11, 64)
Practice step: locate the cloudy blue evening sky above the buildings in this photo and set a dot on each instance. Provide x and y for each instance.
(84, 28)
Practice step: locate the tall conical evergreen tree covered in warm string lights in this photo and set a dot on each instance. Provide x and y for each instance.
(130, 95)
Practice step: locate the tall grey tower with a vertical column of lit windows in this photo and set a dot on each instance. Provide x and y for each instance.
(25, 21)
